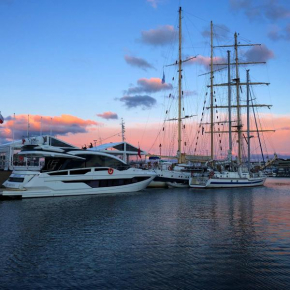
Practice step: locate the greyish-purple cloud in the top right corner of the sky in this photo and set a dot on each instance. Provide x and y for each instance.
(257, 9)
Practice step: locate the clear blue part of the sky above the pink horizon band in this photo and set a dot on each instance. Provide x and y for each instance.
(68, 56)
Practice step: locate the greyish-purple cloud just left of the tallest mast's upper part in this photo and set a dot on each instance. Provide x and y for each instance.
(161, 36)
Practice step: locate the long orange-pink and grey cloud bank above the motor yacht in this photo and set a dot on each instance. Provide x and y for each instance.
(60, 125)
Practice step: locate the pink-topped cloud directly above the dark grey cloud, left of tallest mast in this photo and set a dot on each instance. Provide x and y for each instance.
(152, 85)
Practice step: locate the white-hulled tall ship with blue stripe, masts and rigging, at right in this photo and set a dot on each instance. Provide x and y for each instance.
(229, 172)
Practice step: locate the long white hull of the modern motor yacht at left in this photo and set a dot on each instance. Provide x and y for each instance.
(90, 183)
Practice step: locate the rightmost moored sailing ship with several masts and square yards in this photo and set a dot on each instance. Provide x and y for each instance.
(232, 125)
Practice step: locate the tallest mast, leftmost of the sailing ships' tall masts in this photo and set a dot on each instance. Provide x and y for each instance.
(179, 90)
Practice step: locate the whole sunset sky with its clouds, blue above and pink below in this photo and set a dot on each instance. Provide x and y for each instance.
(76, 67)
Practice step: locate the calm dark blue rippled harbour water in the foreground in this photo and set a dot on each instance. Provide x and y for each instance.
(156, 239)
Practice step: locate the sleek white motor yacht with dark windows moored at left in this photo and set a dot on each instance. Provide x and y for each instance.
(74, 172)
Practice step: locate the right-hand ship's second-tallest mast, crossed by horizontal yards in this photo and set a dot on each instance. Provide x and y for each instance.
(239, 125)
